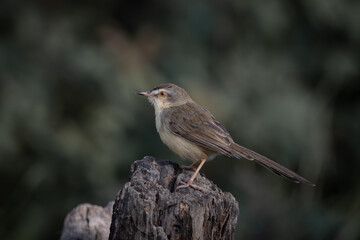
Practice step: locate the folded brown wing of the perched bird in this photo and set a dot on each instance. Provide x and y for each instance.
(196, 124)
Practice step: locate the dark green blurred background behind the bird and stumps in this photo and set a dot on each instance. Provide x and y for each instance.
(282, 76)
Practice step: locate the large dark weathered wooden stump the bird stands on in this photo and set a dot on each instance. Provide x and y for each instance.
(148, 208)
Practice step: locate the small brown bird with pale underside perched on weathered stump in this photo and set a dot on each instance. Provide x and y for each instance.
(193, 133)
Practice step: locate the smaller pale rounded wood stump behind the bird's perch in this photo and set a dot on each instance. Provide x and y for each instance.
(87, 222)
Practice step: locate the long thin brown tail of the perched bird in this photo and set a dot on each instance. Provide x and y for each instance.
(240, 151)
